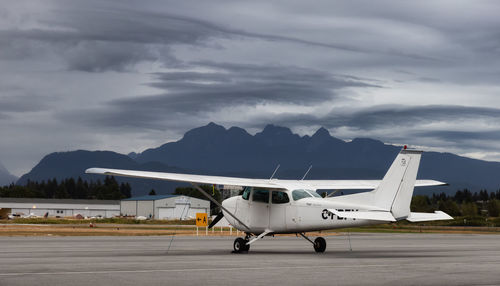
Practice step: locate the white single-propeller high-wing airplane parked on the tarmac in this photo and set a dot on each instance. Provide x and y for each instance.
(272, 206)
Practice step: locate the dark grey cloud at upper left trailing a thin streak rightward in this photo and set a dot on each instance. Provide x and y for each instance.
(96, 40)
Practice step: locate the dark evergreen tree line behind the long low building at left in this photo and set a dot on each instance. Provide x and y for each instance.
(109, 189)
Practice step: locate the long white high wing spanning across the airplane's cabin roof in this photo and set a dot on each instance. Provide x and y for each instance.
(262, 183)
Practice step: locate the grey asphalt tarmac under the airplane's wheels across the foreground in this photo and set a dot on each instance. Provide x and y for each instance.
(375, 259)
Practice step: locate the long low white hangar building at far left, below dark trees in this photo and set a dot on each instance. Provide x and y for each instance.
(59, 207)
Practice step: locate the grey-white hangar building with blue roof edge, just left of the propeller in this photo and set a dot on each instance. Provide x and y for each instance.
(164, 207)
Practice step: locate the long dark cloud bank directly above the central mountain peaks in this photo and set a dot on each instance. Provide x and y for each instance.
(190, 94)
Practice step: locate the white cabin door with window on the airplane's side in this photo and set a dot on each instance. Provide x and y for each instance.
(259, 210)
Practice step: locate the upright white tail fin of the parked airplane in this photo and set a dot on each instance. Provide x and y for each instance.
(395, 191)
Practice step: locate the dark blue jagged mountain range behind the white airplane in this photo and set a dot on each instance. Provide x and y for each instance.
(215, 150)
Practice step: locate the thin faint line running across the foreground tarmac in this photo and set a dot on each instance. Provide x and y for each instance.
(180, 270)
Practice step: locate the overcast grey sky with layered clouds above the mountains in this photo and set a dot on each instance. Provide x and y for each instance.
(129, 75)
